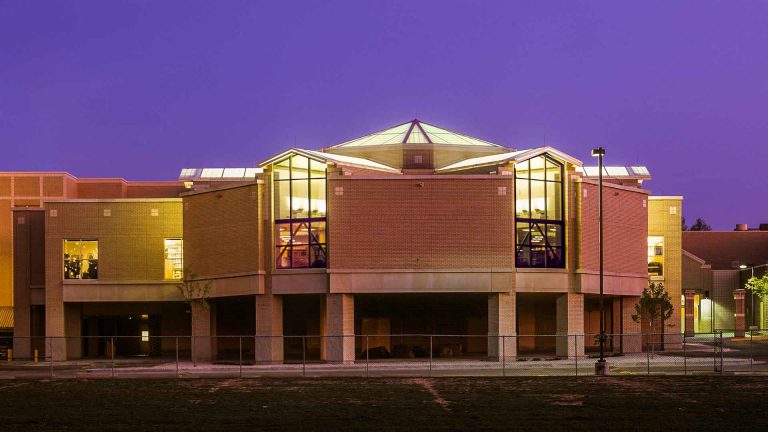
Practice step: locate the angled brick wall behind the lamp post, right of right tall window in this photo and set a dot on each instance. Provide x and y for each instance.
(625, 229)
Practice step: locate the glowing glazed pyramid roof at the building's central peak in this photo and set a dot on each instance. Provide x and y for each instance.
(416, 132)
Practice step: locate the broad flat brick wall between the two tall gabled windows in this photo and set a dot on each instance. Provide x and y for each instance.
(446, 223)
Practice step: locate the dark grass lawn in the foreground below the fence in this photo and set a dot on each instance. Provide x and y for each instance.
(529, 403)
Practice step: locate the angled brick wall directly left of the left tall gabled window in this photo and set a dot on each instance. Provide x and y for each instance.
(221, 231)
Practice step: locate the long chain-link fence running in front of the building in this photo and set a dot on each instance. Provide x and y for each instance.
(416, 355)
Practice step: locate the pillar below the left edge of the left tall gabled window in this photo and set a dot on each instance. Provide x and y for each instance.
(269, 329)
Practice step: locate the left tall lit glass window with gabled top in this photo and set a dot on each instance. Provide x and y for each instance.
(300, 201)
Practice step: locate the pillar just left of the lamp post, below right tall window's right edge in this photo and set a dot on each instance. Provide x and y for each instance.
(570, 323)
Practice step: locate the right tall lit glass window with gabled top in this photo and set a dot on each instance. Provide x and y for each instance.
(539, 215)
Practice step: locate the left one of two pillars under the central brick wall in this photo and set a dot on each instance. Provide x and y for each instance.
(339, 335)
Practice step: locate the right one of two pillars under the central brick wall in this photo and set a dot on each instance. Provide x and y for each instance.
(501, 321)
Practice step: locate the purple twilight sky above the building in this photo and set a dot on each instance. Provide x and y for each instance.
(141, 89)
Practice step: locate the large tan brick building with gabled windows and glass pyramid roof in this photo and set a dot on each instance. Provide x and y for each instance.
(409, 231)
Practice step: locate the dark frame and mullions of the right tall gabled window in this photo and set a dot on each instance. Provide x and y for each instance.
(541, 224)
